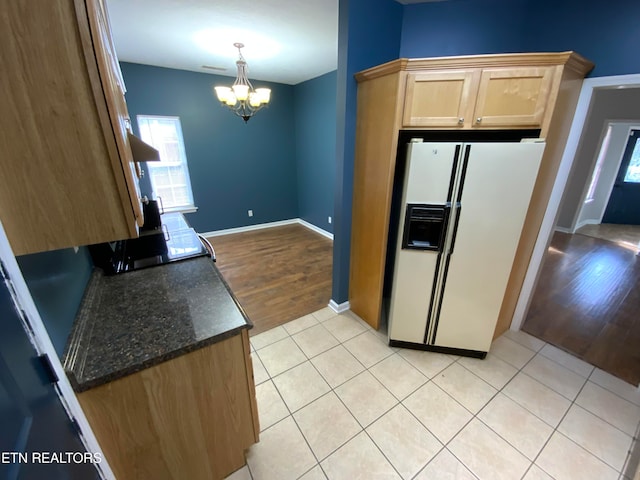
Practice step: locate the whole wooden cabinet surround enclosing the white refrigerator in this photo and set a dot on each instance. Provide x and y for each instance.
(469, 93)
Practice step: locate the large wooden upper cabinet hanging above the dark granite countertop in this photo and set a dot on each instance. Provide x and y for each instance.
(67, 175)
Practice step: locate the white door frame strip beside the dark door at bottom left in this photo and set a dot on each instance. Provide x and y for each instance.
(42, 343)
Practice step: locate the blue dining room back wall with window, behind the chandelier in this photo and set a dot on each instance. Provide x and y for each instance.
(233, 166)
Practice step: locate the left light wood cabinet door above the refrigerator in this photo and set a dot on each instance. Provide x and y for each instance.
(438, 99)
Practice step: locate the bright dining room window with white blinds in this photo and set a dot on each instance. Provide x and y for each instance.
(170, 176)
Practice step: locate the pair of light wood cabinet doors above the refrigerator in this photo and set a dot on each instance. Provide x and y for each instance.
(508, 97)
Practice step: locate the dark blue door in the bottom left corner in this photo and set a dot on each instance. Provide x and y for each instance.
(37, 438)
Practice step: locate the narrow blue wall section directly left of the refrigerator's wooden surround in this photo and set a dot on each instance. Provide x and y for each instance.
(369, 34)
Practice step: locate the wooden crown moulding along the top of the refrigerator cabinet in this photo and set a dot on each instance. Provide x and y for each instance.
(571, 59)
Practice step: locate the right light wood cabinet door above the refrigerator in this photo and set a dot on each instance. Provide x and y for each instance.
(512, 97)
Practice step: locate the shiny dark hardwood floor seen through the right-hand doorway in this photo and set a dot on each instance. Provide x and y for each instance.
(587, 302)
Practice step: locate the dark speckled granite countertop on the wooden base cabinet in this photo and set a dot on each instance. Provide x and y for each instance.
(135, 320)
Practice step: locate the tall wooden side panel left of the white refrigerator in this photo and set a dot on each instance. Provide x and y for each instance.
(378, 112)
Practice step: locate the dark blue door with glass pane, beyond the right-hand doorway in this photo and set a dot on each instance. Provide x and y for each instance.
(624, 202)
